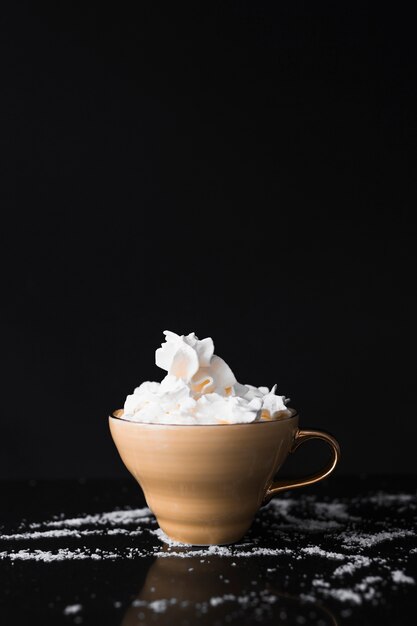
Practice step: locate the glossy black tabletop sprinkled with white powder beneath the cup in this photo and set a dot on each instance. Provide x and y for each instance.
(89, 552)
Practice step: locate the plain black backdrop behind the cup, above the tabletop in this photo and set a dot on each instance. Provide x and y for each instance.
(242, 170)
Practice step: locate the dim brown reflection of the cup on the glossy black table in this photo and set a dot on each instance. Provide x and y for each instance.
(188, 591)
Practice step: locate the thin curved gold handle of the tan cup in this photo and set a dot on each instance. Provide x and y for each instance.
(292, 483)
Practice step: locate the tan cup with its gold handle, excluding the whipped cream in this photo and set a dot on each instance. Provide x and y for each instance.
(205, 483)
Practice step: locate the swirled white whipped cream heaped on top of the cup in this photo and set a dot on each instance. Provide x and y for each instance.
(199, 388)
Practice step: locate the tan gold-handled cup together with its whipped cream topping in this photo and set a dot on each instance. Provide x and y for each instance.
(206, 449)
